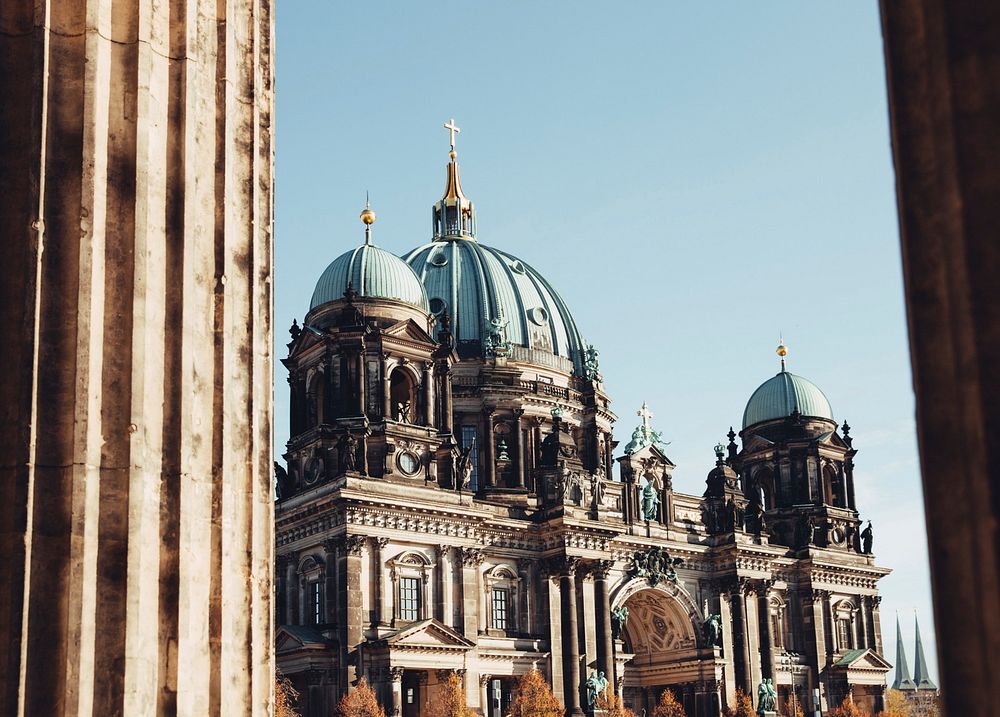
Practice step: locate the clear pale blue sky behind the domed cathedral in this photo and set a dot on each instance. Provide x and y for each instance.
(693, 178)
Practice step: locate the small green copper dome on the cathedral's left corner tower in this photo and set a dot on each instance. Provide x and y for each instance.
(373, 273)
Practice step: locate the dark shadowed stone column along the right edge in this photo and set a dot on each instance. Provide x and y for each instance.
(943, 65)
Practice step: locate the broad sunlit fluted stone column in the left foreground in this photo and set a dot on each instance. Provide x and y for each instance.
(136, 508)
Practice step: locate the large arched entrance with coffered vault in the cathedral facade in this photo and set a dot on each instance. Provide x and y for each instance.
(660, 649)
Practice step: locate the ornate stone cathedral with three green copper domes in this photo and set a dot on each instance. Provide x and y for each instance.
(454, 501)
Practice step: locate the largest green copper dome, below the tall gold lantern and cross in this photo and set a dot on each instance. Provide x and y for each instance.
(477, 284)
